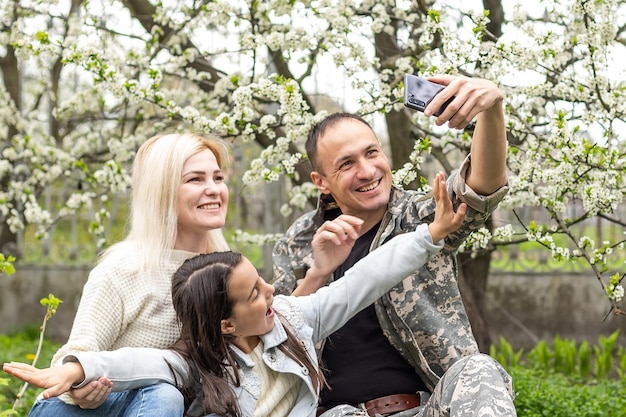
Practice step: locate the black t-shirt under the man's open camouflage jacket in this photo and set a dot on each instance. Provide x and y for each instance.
(360, 362)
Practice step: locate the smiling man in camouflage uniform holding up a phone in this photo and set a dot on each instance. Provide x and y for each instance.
(418, 333)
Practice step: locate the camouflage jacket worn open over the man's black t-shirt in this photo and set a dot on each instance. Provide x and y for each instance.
(423, 317)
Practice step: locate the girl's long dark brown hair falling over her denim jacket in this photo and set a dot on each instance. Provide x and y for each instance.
(200, 298)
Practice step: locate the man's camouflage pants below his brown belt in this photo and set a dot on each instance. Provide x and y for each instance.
(475, 386)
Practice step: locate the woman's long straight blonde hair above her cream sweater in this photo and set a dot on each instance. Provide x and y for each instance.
(156, 176)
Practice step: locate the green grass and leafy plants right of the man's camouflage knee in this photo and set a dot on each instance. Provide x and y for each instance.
(564, 378)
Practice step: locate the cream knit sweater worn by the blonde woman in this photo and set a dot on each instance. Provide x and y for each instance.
(121, 306)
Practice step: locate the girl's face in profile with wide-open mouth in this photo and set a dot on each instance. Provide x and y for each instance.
(252, 313)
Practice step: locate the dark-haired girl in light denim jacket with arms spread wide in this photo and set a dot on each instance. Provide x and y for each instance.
(243, 352)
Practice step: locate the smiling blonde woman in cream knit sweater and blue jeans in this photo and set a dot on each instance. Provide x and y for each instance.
(178, 208)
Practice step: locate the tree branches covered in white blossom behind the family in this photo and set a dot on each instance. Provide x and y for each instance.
(85, 82)
